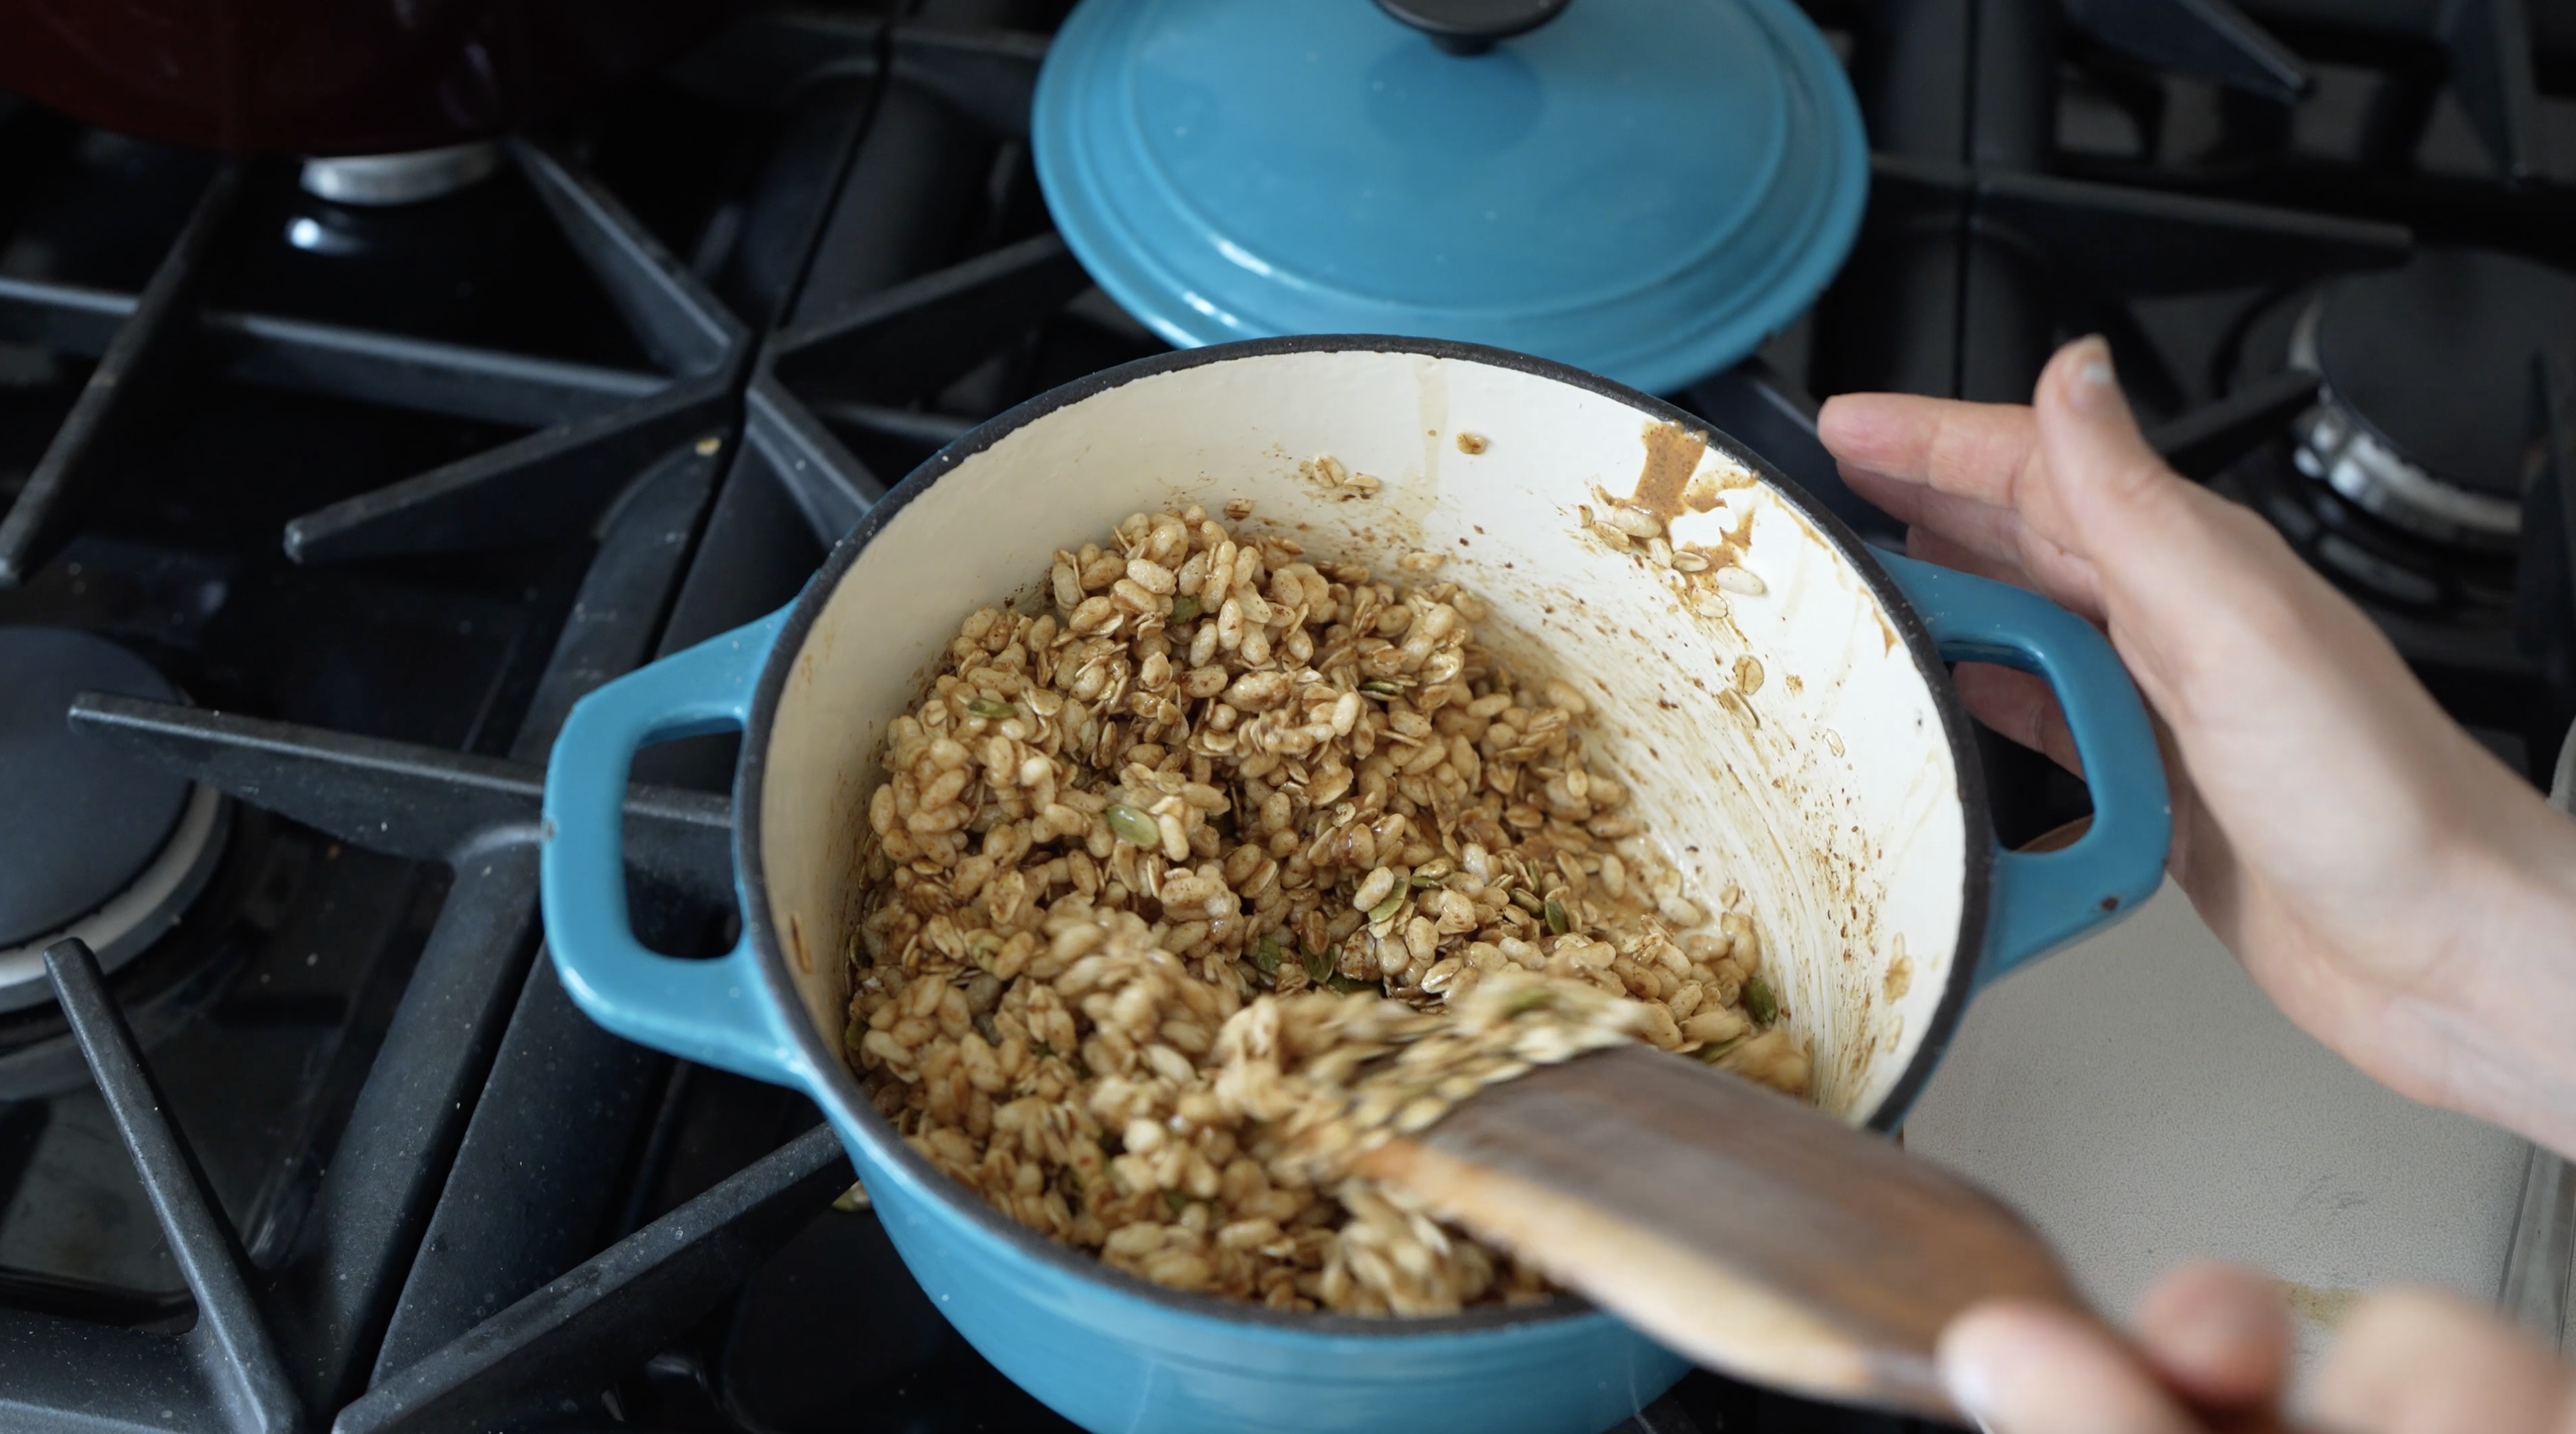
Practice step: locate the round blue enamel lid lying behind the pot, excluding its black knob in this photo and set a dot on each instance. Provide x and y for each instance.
(1645, 189)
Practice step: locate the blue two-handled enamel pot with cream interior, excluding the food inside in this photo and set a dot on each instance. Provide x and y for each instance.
(1784, 722)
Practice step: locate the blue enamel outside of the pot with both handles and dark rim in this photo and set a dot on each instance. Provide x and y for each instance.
(1114, 1353)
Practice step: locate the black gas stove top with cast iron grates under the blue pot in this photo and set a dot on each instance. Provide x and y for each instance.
(326, 490)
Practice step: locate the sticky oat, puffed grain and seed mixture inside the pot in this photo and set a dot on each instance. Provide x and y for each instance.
(1227, 864)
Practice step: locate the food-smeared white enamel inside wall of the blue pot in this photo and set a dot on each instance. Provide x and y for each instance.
(1789, 743)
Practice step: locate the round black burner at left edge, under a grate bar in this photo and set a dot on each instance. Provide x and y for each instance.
(102, 848)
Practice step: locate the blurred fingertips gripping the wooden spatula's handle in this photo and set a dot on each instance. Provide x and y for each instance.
(2214, 1345)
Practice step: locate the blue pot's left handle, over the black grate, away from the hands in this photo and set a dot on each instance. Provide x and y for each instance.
(699, 1010)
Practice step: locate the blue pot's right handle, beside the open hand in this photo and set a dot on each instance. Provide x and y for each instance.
(2047, 900)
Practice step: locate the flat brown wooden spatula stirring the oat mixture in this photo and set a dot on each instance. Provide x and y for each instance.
(1738, 1227)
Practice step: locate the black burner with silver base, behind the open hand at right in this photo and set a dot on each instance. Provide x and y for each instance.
(2428, 387)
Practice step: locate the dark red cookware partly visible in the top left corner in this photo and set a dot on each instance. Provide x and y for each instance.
(334, 76)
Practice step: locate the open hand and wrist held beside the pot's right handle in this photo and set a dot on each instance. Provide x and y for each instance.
(2382, 877)
